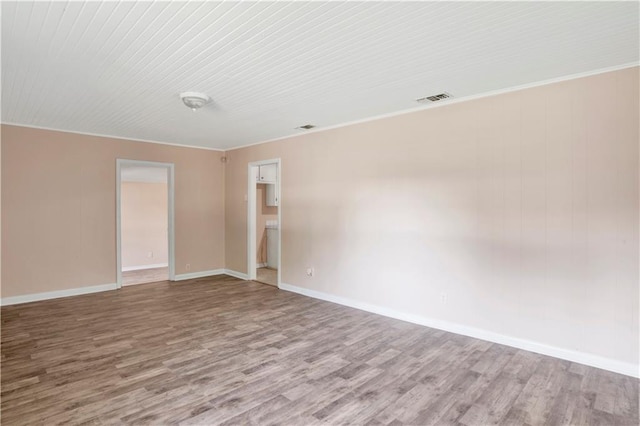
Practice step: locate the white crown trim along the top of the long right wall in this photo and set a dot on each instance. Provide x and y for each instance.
(448, 102)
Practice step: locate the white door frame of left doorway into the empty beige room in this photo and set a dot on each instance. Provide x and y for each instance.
(170, 213)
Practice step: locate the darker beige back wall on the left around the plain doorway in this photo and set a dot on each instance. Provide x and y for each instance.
(58, 208)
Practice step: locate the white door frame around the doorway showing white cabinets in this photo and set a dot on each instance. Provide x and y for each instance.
(251, 217)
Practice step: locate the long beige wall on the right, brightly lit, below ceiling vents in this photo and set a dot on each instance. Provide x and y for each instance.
(522, 208)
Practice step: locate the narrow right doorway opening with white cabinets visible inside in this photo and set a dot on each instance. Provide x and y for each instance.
(264, 222)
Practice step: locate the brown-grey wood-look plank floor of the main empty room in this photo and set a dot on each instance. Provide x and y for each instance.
(224, 351)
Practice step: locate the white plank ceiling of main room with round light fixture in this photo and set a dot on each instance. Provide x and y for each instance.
(116, 68)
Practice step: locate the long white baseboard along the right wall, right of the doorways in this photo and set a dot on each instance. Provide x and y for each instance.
(609, 364)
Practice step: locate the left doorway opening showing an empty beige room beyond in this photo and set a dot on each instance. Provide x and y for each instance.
(144, 222)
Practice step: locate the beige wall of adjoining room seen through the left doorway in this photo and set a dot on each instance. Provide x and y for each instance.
(144, 224)
